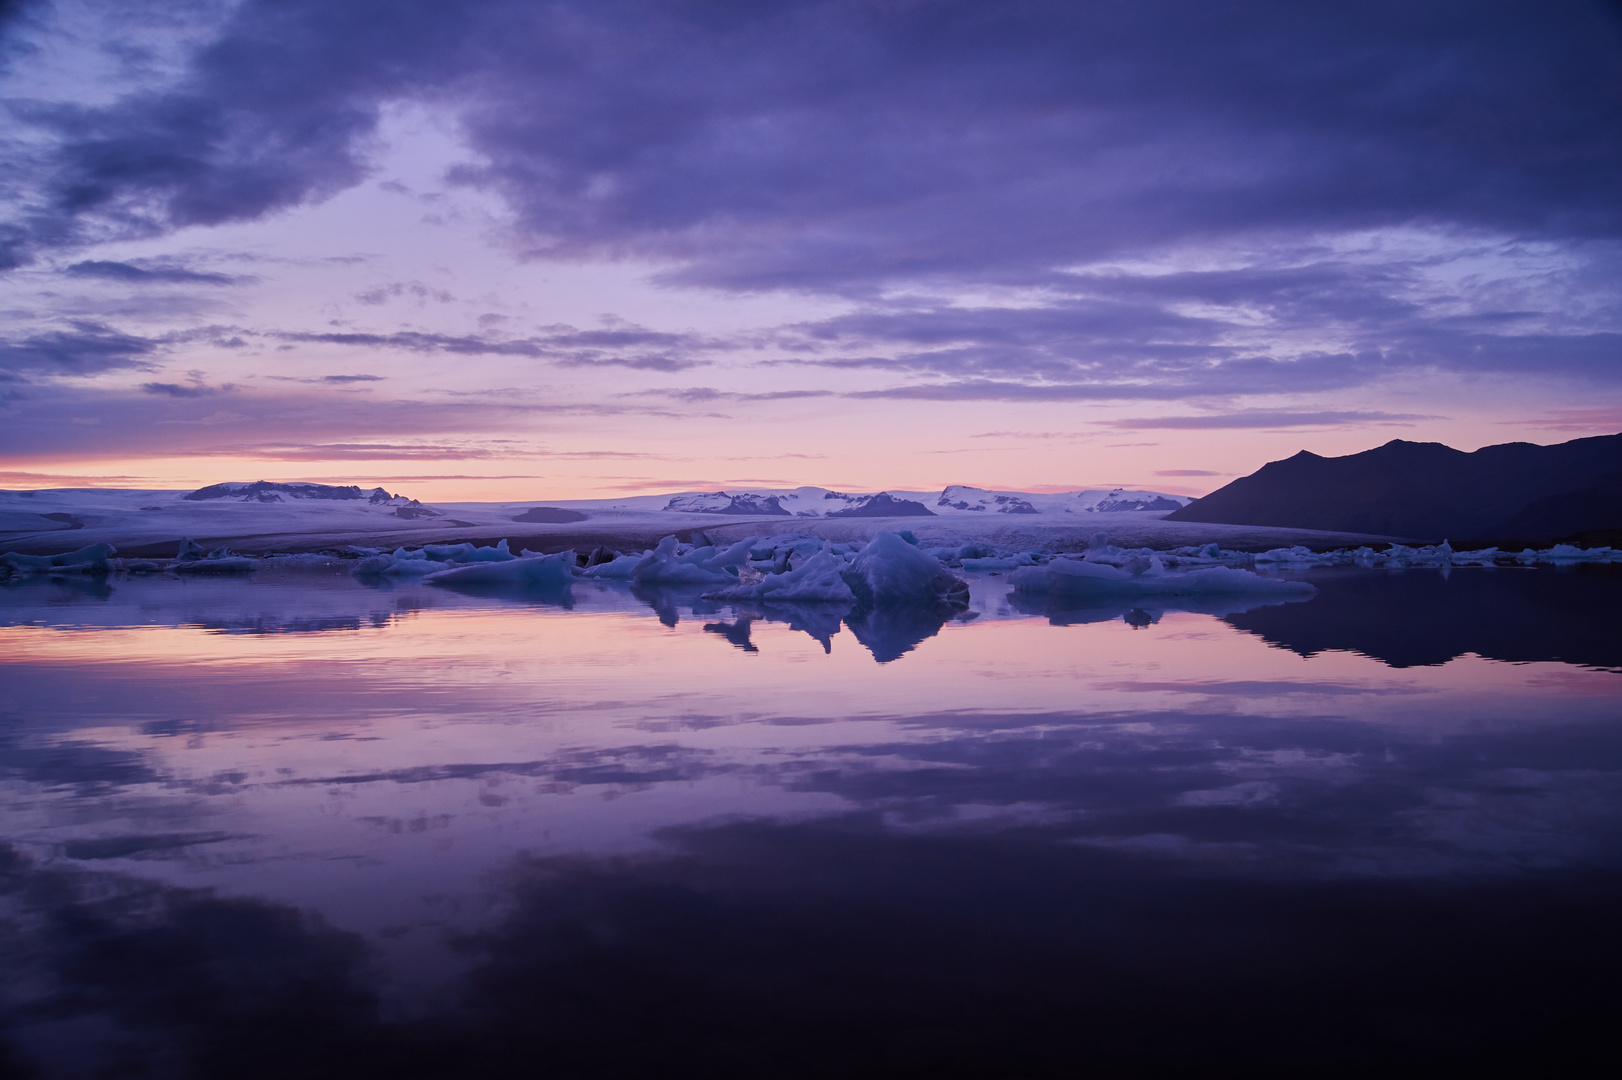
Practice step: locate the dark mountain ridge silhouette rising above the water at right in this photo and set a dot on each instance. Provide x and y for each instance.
(1427, 491)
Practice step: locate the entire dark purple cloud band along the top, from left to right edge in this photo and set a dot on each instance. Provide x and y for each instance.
(828, 144)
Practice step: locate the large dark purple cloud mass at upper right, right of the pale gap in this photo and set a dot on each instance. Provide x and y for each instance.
(825, 145)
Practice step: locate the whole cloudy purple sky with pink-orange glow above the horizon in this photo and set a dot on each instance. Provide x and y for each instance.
(526, 249)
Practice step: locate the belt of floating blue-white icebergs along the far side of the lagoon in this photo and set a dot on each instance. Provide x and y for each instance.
(891, 570)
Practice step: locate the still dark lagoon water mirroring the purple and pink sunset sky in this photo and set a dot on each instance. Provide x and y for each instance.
(306, 828)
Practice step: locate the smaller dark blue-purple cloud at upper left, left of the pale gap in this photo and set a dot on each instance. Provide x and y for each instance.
(272, 114)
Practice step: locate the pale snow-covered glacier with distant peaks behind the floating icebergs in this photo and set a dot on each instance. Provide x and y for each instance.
(273, 518)
